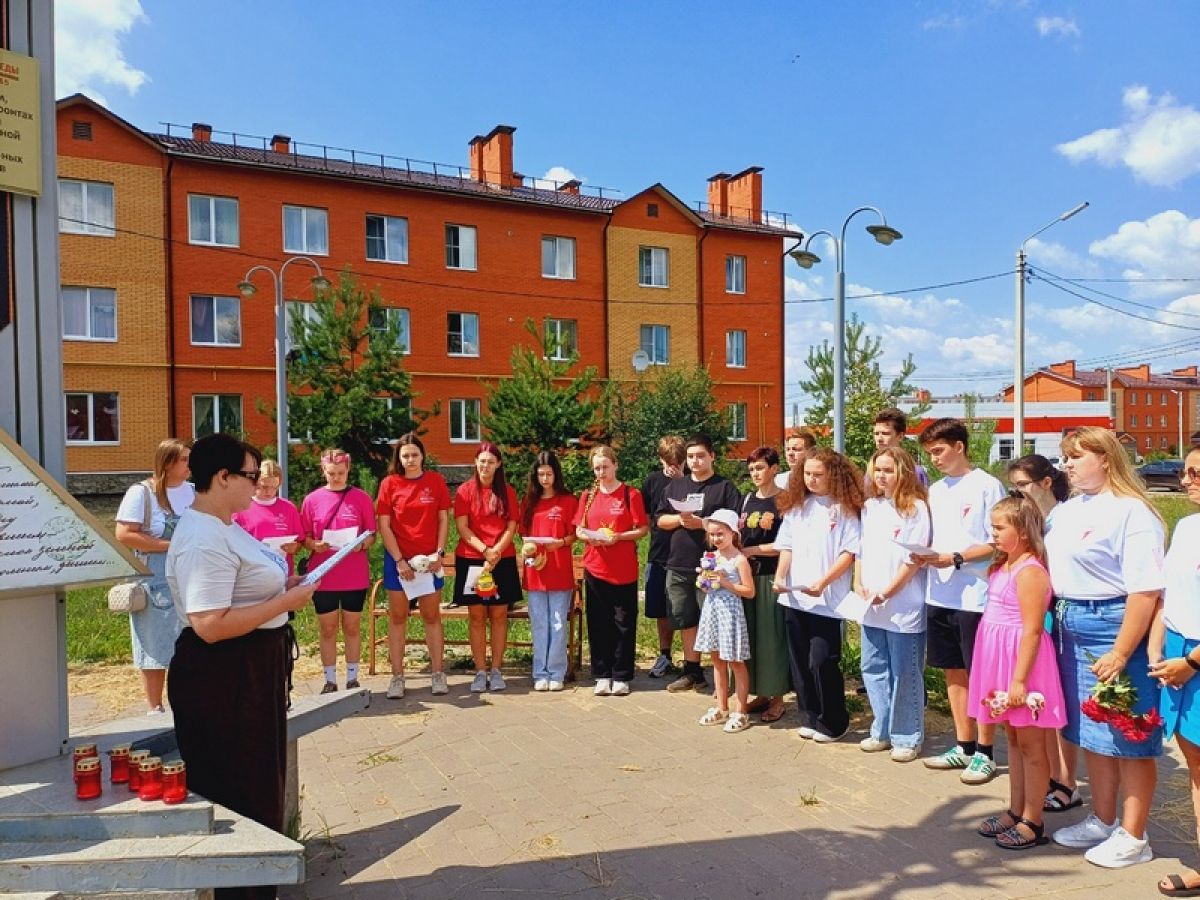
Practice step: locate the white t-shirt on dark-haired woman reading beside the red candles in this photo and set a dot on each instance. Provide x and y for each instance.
(213, 566)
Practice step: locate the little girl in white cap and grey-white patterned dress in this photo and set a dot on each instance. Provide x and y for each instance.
(723, 623)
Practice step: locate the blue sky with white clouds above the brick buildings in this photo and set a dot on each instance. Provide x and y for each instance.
(970, 124)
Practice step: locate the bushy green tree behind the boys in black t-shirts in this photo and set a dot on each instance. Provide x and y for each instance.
(675, 401)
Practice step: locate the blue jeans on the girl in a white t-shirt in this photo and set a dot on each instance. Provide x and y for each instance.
(895, 677)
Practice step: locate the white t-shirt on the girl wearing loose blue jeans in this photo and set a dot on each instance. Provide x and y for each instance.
(883, 559)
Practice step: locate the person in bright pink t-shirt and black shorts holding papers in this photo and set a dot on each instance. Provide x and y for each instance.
(334, 517)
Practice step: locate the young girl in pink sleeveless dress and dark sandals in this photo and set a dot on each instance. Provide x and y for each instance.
(1016, 676)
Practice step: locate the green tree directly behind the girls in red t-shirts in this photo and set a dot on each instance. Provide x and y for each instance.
(543, 406)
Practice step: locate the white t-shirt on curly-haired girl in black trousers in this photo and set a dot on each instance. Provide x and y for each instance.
(818, 533)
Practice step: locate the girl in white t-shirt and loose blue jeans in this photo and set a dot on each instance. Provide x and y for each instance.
(897, 513)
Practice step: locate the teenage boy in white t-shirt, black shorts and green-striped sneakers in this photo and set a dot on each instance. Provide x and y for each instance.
(957, 587)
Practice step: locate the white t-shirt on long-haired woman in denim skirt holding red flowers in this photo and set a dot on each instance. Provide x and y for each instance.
(1103, 547)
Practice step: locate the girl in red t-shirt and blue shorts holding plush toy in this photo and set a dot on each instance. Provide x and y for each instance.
(415, 523)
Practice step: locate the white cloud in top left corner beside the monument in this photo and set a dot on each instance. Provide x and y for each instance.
(88, 53)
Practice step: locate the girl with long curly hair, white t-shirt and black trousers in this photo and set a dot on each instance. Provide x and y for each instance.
(818, 543)
